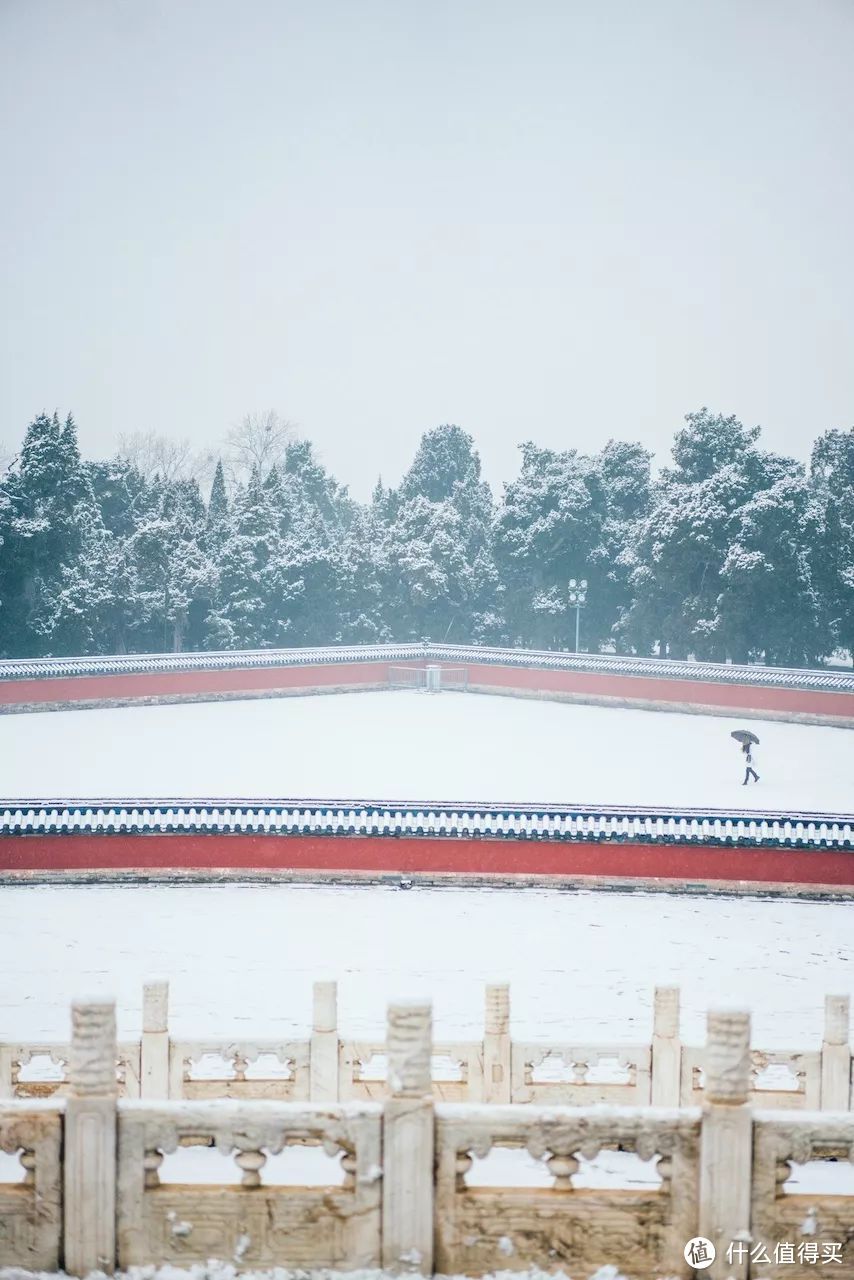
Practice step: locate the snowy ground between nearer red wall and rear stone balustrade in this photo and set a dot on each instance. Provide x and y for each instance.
(241, 958)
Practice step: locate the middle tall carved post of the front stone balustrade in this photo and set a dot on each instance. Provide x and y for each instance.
(408, 1142)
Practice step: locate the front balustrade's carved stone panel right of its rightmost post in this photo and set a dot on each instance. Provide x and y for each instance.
(811, 1223)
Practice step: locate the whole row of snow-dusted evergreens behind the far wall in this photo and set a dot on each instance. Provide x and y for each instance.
(729, 552)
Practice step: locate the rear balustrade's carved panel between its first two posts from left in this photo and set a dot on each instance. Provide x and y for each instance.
(277, 1071)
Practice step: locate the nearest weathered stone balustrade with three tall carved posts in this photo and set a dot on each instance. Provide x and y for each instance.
(107, 1183)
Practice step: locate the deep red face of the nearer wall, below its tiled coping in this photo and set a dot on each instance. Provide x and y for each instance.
(381, 856)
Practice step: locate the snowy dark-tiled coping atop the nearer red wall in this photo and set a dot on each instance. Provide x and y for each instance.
(453, 821)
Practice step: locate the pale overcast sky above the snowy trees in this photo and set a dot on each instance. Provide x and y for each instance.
(549, 220)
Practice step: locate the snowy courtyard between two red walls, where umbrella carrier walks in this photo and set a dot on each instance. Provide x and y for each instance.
(419, 747)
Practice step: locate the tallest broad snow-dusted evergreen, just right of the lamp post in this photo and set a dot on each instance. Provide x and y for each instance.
(721, 566)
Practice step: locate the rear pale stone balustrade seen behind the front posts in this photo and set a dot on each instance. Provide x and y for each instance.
(327, 1067)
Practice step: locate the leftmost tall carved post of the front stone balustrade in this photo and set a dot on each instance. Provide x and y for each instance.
(90, 1140)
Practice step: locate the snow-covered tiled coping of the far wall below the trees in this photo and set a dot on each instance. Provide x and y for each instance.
(44, 669)
